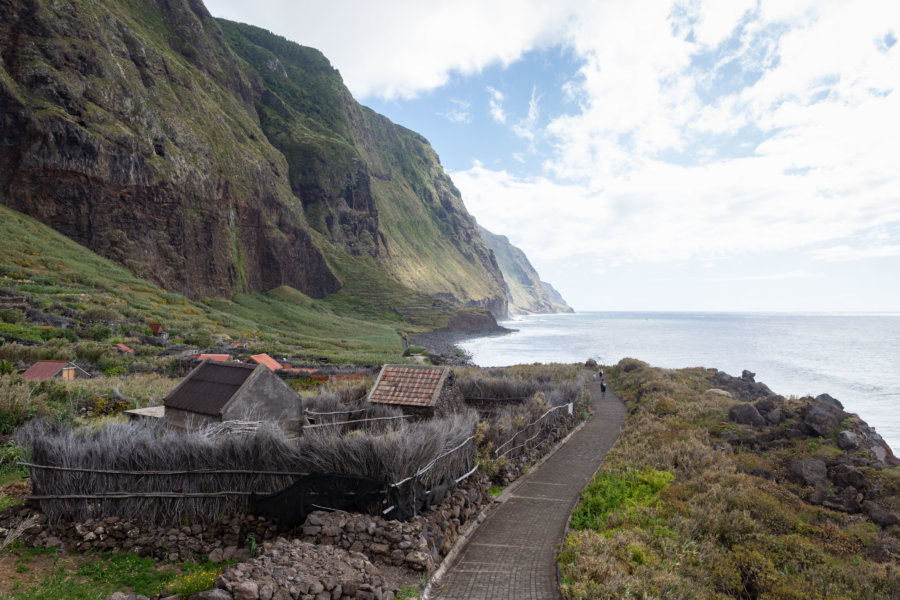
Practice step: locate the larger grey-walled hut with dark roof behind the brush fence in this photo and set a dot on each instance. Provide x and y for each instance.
(214, 392)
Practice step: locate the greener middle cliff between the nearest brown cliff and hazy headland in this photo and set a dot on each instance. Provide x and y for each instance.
(374, 188)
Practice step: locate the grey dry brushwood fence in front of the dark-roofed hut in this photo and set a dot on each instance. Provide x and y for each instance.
(195, 478)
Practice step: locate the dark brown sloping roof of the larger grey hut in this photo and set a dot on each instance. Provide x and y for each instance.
(209, 387)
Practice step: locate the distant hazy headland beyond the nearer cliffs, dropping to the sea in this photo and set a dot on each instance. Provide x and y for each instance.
(526, 292)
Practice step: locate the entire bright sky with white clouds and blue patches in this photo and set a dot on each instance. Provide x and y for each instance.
(724, 155)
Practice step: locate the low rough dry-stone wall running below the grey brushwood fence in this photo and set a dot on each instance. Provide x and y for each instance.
(418, 544)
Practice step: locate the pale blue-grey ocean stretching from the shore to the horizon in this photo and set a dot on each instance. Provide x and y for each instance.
(854, 358)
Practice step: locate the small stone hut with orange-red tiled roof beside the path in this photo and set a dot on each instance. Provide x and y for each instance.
(418, 390)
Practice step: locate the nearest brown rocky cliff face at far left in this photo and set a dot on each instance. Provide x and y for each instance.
(130, 127)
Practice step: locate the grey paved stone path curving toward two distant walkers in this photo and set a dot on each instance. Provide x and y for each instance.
(512, 554)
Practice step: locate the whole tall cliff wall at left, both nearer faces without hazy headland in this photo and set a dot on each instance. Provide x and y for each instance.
(214, 161)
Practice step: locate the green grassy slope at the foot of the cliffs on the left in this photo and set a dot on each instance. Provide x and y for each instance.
(66, 282)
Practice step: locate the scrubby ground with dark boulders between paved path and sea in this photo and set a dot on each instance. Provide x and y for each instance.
(718, 488)
